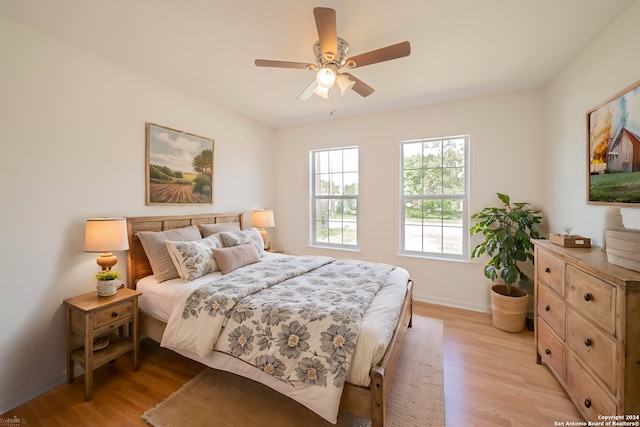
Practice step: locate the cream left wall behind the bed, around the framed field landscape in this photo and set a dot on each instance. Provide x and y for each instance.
(72, 146)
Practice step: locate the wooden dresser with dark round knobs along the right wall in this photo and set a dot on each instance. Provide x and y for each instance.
(587, 328)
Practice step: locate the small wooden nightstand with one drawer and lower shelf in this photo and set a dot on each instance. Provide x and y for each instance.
(90, 316)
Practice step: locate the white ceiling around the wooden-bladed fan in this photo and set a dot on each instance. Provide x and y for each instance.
(460, 48)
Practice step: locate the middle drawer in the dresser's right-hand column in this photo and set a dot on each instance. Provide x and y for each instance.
(595, 348)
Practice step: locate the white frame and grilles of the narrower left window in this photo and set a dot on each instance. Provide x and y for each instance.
(313, 198)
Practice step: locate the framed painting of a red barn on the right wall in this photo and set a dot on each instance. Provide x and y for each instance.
(613, 130)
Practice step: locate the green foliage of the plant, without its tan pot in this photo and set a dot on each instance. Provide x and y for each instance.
(507, 232)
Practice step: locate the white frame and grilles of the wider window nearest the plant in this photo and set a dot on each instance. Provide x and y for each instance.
(463, 198)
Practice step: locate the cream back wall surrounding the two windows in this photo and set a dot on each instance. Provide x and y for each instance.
(506, 137)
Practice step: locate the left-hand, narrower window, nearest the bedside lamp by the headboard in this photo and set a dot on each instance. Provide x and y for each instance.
(334, 193)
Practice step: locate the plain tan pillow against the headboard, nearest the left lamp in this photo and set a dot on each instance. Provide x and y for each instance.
(156, 250)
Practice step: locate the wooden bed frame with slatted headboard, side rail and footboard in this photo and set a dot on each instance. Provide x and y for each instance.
(367, 402)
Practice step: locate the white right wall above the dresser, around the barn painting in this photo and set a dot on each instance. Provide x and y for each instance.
(610, 64)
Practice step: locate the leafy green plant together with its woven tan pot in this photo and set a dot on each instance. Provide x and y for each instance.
(507, 232)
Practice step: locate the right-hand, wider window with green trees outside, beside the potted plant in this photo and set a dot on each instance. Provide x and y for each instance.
(434, 197)
